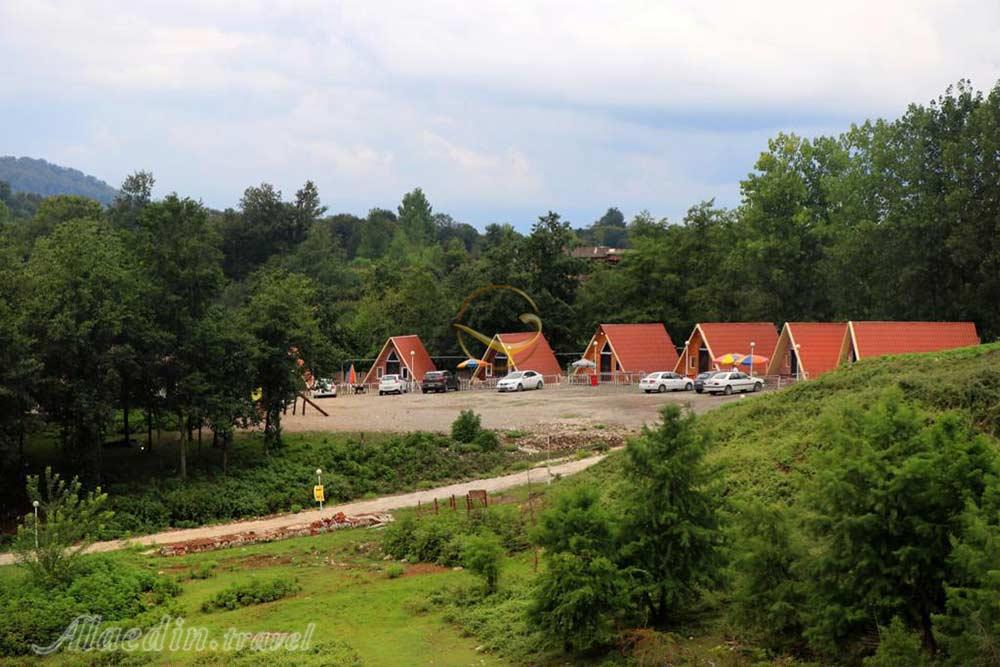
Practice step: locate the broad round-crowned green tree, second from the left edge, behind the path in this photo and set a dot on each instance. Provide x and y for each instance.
(85, 294)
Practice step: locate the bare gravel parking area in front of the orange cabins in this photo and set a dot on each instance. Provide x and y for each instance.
(552, 407)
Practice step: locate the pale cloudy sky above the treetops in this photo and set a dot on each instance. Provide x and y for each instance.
(500, 111)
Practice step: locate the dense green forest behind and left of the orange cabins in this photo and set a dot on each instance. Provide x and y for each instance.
(165, 307)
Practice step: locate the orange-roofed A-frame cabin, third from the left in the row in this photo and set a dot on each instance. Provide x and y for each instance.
(630, 348)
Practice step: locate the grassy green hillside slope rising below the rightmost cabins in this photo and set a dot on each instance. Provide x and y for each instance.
(764, 442)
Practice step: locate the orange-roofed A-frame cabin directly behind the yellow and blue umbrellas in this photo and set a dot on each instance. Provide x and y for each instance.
(711, 340)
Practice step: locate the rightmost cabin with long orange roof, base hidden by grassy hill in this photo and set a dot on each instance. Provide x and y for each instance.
(874, 339)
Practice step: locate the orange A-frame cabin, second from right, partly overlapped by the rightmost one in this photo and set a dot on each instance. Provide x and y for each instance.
(806, 350)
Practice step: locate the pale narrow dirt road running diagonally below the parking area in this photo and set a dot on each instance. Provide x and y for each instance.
(384, 504)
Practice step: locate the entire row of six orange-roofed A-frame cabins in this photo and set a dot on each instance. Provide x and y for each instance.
(801, 349)
